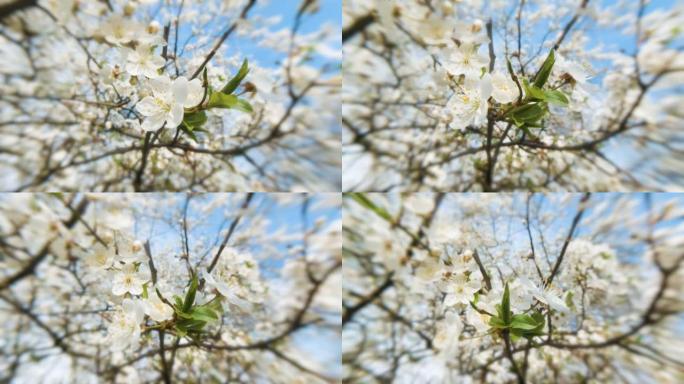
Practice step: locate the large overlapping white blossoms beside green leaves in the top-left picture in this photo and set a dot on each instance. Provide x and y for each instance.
(168, 100)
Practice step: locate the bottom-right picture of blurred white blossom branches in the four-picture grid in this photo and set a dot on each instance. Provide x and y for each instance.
(594, 279)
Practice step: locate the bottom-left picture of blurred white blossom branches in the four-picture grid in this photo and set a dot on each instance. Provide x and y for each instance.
(76, 270)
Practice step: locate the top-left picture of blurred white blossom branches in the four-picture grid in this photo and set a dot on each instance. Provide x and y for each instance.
(82, 85)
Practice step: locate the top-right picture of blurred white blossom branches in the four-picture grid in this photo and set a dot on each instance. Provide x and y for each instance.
(415, 118)
